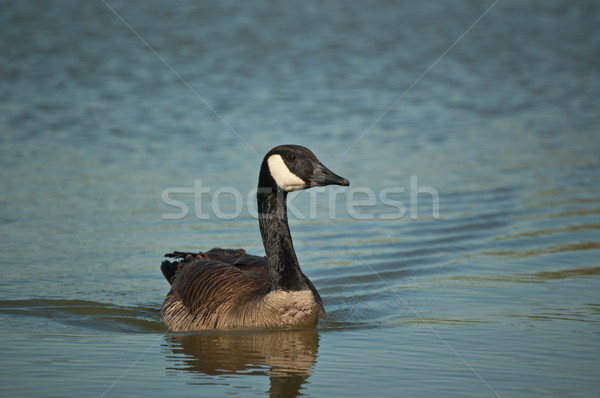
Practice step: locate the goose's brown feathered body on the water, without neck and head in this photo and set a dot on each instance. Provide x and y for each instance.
(227, 289)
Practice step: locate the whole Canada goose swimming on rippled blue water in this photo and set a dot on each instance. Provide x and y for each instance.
(227, 289)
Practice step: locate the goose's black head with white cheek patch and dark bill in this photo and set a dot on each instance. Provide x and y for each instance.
(294, 167)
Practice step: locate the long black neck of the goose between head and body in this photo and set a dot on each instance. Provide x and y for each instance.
(284, 270)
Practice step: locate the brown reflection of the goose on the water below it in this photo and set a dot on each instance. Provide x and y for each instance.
(289, 354)
